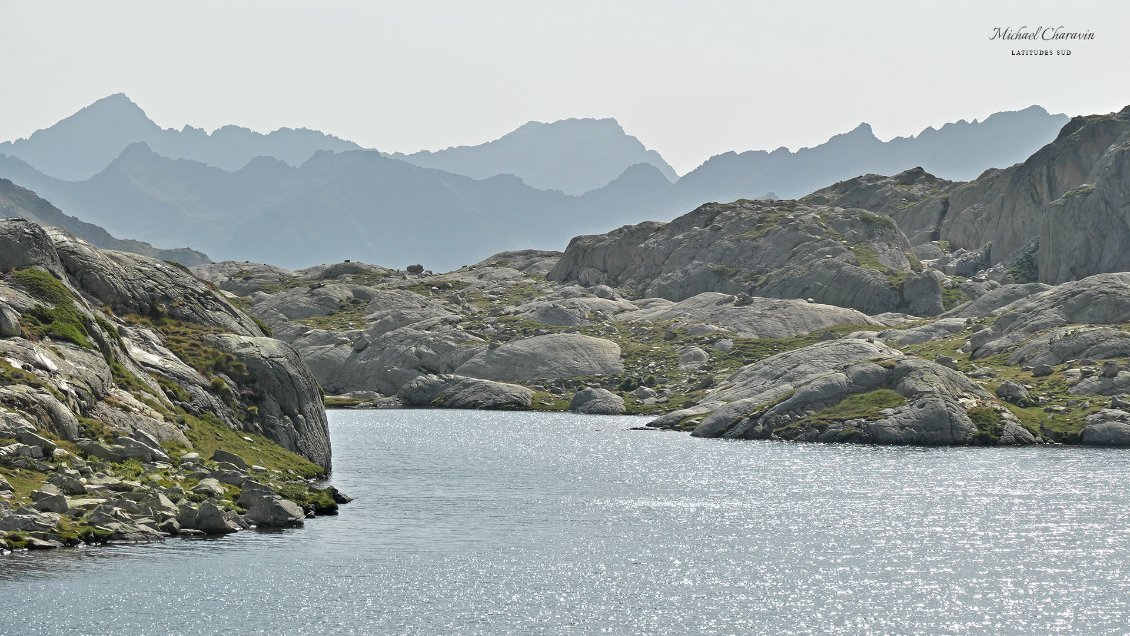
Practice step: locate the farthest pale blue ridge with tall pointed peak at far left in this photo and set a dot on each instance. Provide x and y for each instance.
(84, 144)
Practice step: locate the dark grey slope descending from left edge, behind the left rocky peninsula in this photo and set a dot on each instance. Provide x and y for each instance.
(20, 203)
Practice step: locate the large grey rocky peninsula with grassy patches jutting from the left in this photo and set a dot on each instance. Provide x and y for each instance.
(137, 404)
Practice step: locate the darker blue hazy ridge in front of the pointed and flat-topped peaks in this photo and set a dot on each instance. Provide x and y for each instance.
(357, 205)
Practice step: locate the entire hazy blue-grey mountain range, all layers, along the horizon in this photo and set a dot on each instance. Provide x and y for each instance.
(300, 197)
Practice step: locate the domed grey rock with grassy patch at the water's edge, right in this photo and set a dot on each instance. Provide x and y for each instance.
(851, 391)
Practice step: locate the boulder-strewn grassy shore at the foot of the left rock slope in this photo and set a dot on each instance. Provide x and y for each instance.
(137, 495)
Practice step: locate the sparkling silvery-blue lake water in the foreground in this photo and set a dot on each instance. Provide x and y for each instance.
(474, 522)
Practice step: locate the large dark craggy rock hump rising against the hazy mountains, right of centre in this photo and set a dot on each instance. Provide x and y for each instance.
(849, 258)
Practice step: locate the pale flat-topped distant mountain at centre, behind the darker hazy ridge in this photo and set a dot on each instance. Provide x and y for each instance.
(575, 156)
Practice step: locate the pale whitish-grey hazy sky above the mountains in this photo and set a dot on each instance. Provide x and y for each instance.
(690, 80)
